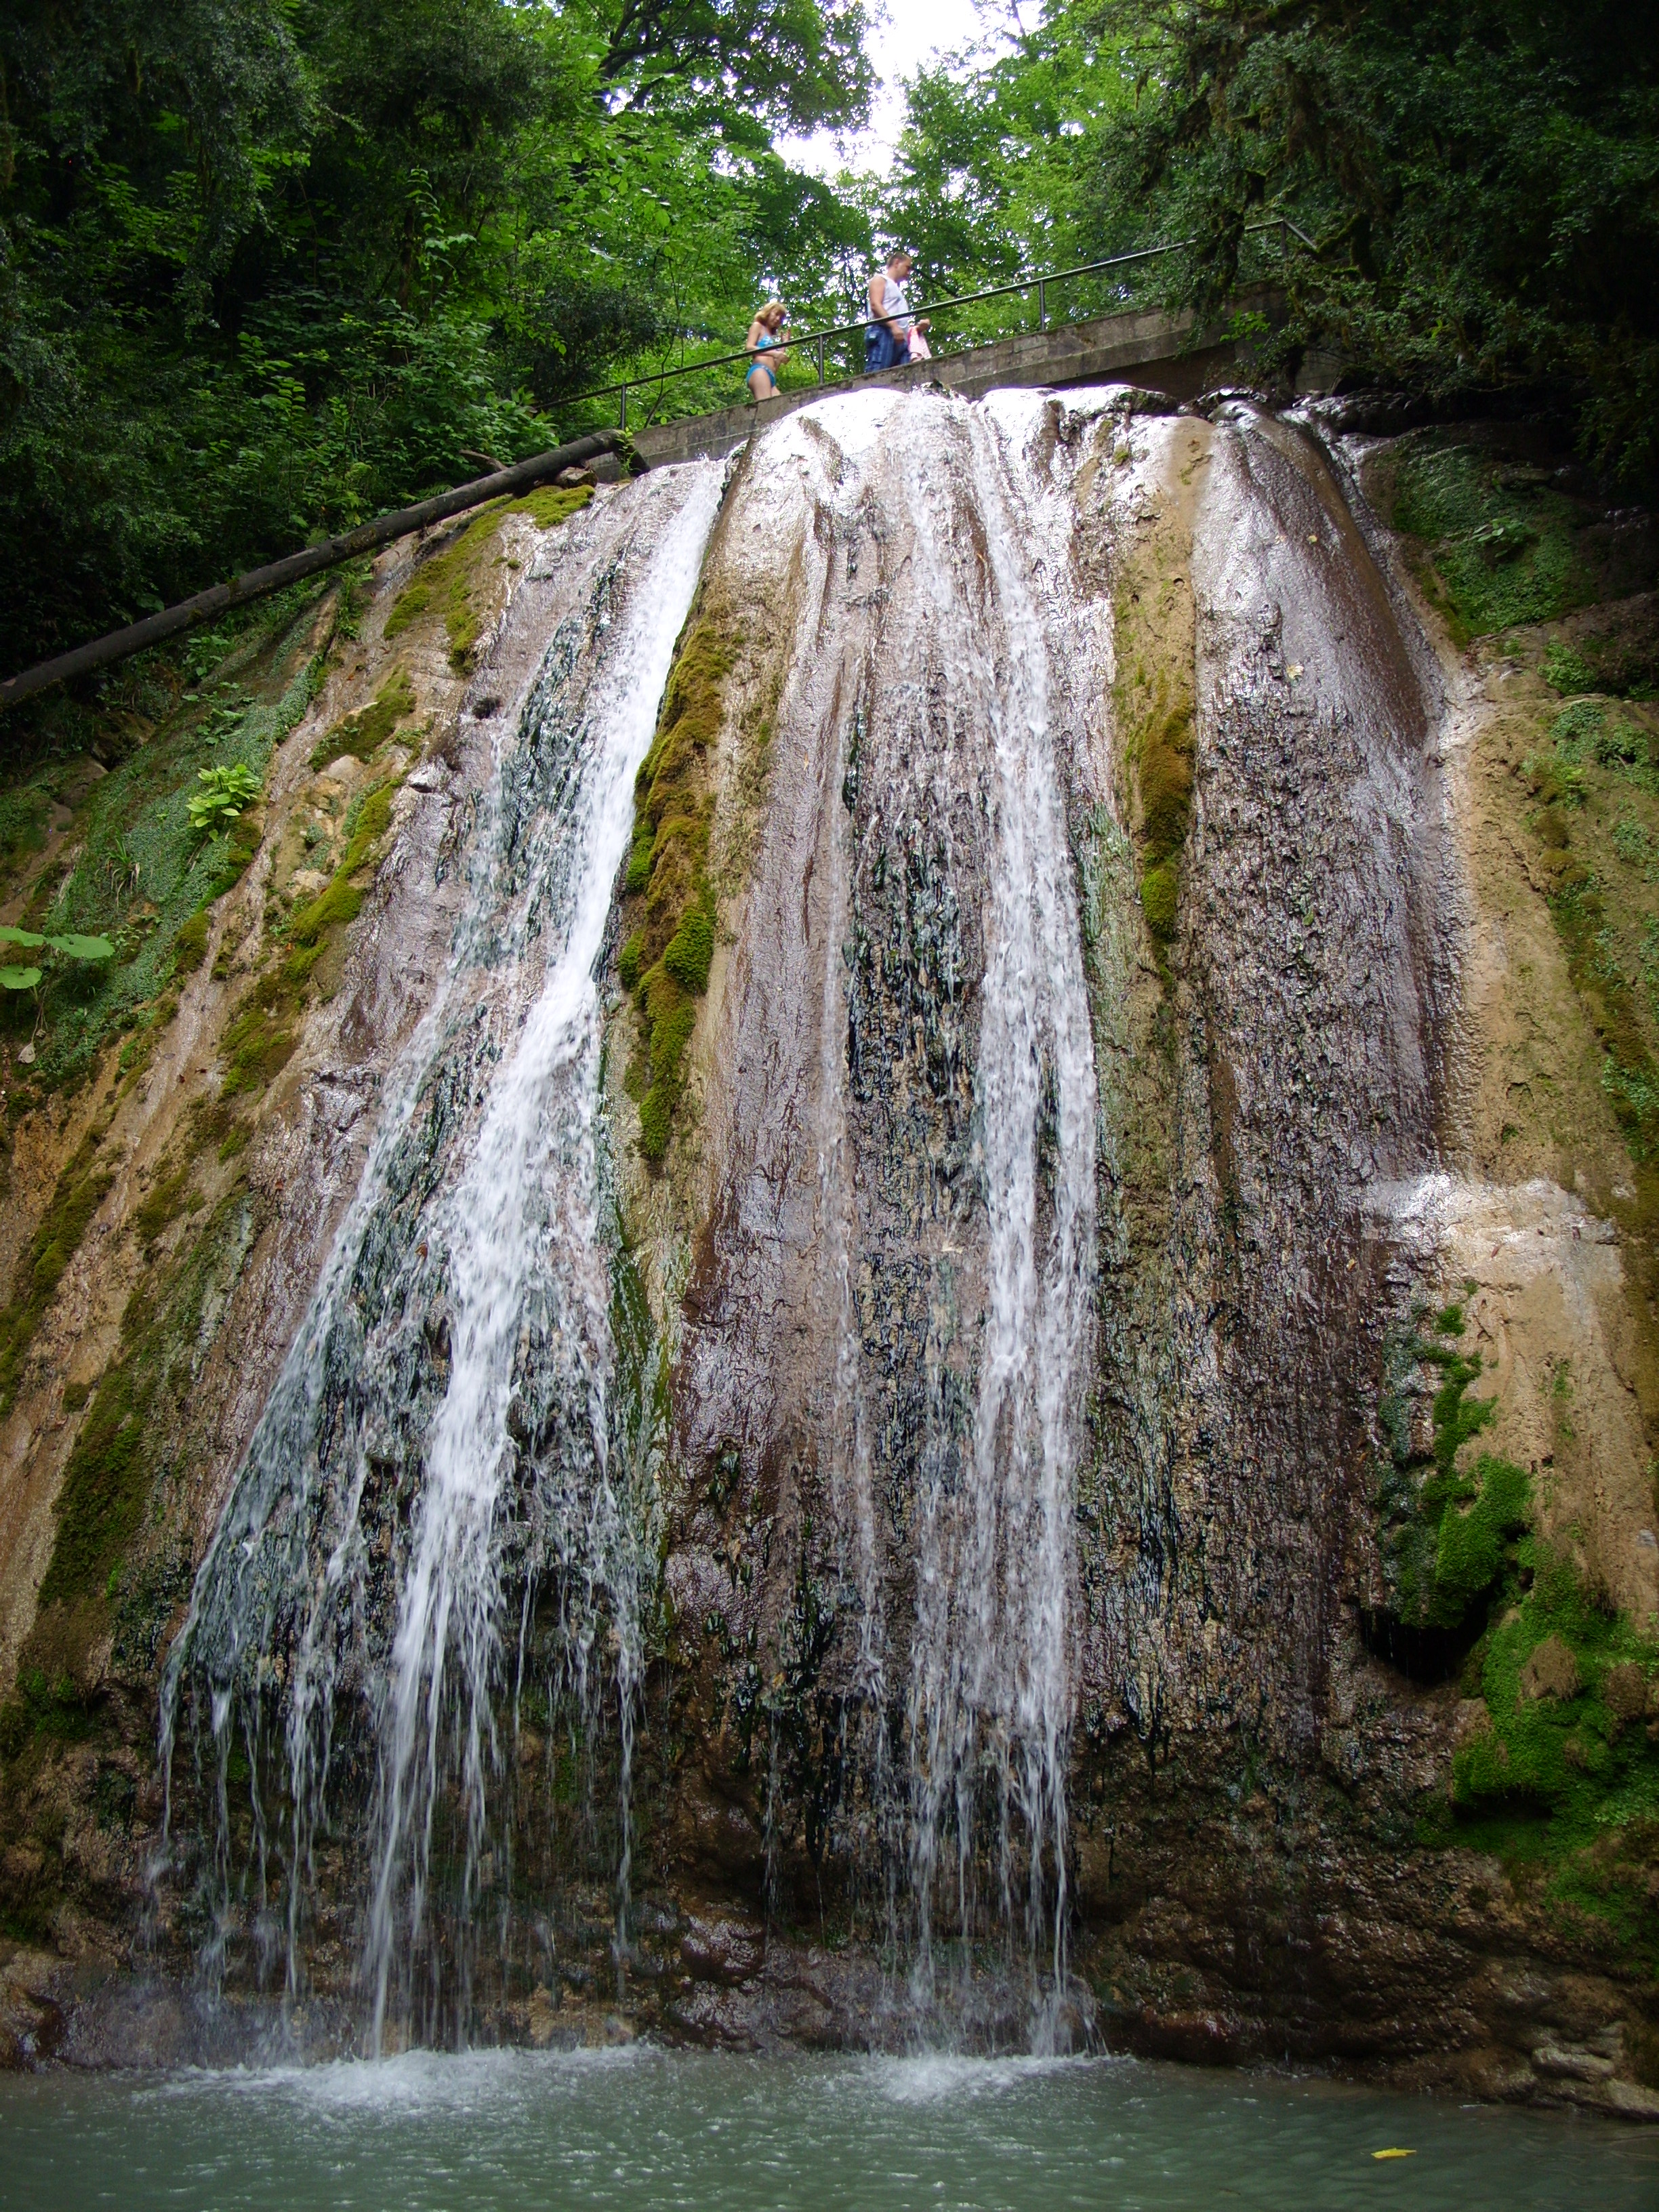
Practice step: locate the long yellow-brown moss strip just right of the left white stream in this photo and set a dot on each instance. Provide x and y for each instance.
(669, 901)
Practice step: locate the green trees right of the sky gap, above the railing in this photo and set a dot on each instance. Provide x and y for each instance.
(1481, 180)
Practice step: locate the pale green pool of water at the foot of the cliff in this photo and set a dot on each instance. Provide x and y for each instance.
(656, 2129)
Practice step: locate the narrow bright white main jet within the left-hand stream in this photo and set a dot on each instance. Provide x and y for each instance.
(536, 1138)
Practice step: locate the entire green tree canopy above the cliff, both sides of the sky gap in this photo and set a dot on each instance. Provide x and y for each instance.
(271, 267)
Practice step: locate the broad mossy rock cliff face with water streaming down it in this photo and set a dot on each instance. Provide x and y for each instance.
(899, 1204)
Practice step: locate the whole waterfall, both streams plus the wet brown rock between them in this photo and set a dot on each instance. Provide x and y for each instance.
(875, 1355)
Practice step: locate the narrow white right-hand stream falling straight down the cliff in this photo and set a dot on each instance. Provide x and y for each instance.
(992, 1662)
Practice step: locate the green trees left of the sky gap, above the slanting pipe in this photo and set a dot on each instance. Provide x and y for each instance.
(269, 269)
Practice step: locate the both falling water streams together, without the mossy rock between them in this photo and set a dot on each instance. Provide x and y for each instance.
(446, 1441)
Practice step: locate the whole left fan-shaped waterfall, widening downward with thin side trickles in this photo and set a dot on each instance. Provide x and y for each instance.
(441, 1432)
